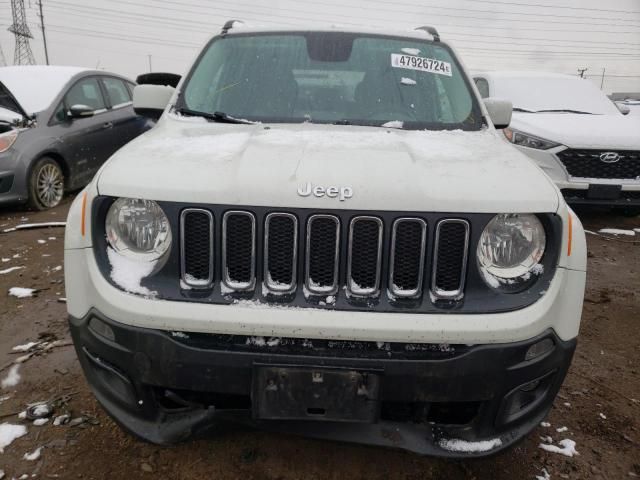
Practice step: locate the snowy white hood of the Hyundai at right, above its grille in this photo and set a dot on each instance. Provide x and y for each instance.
(615, 132)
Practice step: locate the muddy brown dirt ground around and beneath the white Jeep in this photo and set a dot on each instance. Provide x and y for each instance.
(598, 402)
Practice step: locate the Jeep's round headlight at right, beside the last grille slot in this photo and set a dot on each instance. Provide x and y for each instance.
(510, 249)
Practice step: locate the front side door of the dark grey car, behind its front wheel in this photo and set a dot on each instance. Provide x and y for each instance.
(83, 140)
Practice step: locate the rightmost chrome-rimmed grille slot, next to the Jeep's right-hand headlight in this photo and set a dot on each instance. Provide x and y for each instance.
(450, 259)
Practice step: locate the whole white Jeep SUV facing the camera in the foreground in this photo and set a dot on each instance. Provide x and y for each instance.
(325, 234)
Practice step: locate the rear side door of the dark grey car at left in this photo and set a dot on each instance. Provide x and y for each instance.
(126, 124)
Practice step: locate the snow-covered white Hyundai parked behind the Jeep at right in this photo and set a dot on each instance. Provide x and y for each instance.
(574, 132)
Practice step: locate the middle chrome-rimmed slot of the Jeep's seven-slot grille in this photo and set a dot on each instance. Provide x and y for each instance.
(323, 248)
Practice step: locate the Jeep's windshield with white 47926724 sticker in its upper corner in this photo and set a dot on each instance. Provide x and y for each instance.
(330, 77)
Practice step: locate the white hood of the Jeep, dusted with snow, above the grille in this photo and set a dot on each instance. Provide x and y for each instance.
(192, 161)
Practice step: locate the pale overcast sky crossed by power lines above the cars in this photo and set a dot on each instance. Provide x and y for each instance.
(543, 35)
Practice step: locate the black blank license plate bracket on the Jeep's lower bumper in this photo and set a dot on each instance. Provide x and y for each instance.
(315, 393)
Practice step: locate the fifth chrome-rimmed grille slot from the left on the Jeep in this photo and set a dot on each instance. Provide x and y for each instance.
(364, 256)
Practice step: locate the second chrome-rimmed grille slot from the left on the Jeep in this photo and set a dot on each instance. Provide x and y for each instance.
(239, 250)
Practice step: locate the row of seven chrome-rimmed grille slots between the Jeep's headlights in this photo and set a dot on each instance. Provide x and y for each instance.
(315, 252)
